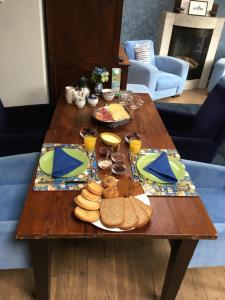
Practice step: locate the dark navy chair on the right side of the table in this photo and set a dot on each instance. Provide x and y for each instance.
(198, 136)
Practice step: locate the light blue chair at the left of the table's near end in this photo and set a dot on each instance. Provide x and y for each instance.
(15, 176)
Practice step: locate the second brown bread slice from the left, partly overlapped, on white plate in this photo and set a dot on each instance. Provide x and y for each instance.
(130, 217)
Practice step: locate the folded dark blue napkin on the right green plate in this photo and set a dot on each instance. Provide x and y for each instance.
(160, 168)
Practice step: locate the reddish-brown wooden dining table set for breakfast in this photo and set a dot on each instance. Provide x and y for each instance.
(48, 215)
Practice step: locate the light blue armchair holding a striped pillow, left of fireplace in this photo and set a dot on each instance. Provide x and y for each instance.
(164, 75)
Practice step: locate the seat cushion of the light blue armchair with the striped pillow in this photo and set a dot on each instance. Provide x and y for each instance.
(167, 81)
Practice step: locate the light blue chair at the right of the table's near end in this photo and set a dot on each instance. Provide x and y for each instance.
(210, 183)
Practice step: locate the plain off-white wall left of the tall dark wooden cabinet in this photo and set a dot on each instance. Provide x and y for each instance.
(22, 54)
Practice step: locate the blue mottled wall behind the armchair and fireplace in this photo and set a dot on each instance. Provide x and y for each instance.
(141, 20)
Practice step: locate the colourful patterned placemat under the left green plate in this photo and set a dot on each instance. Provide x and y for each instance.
(44, 182)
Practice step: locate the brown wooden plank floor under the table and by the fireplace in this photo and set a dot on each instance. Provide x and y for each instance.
(115, 270)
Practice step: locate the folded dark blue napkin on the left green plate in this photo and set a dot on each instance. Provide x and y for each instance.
(63, 163)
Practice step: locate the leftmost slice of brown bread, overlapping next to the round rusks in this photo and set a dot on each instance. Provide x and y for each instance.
(112, 212)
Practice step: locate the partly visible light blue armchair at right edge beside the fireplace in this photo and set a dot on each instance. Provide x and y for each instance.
(218, 74)
